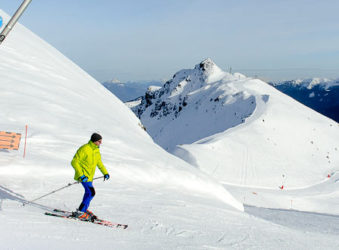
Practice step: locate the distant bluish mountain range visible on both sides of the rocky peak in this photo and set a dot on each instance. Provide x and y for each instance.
(320, 94)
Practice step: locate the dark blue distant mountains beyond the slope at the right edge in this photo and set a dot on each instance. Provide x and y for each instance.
(320, 94)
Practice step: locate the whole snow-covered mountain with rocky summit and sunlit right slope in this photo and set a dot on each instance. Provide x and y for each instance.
(239, 130)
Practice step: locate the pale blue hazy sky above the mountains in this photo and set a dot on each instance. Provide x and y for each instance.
(153, 39)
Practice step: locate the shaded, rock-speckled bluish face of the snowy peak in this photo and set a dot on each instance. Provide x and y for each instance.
(195, 96)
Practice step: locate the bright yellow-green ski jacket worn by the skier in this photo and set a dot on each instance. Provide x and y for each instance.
(85, 161)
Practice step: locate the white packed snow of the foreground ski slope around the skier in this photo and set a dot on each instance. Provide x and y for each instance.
(167, 203)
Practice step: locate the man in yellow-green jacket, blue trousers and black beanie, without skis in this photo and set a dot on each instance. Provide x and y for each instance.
(84, 162)
